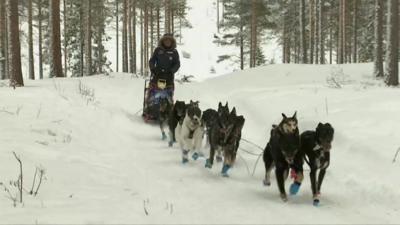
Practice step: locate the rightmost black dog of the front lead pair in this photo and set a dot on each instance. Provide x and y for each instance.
(316, 145)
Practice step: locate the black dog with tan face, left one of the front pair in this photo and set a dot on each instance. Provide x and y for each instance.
(282, 151)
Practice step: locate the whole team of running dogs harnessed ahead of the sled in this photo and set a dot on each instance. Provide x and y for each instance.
(286, 150)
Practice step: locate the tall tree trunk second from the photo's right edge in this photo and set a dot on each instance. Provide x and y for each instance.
(378, 57)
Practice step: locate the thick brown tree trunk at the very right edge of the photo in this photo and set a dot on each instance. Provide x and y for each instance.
(392, 77)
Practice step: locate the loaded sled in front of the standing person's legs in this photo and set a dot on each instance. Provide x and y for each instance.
(154, 92)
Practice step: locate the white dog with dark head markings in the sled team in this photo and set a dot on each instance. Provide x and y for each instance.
(189, 134)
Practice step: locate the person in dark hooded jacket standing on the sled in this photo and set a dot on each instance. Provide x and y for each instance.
(164, 63)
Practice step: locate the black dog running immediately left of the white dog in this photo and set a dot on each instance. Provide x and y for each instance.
(176, 116)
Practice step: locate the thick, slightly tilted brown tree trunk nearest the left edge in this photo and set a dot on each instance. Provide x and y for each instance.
(14, 44)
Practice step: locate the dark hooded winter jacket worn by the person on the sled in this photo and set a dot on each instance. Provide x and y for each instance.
(164, 62)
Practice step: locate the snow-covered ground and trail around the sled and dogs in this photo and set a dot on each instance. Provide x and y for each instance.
(104, 165)
